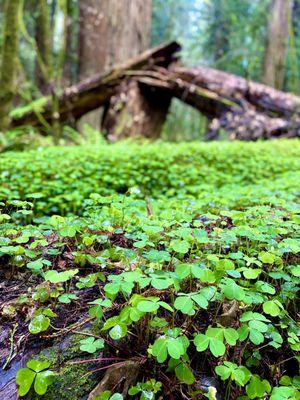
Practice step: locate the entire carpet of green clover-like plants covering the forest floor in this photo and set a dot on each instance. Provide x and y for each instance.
(164, 270)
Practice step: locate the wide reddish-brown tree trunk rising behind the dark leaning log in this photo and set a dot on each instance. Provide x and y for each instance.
(111, 32)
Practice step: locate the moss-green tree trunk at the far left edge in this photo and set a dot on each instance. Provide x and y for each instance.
(9, 59)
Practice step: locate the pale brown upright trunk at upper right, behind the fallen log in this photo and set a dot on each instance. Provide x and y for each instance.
(277, 43)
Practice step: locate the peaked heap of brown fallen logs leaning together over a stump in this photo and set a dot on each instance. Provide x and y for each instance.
(137, 95)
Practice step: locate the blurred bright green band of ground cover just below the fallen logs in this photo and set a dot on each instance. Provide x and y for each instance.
(66, 177)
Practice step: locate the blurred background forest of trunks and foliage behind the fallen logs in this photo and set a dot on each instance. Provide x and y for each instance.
(63, 41)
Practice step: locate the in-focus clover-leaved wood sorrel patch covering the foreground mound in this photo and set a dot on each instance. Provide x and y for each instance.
(197, 285)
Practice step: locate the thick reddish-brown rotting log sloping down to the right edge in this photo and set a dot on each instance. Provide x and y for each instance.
(260, 111)
